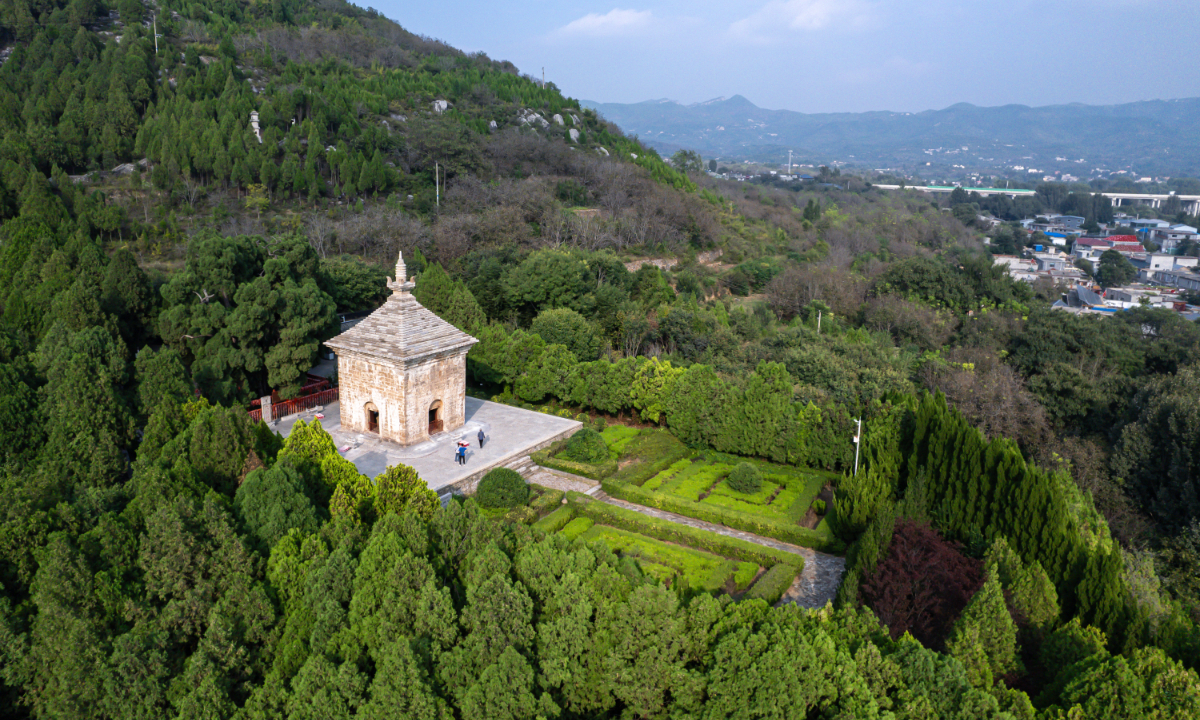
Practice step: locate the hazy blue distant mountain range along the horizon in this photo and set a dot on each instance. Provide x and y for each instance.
(1144, 139)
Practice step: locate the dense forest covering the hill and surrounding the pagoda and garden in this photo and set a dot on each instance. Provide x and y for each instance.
(1023, 535)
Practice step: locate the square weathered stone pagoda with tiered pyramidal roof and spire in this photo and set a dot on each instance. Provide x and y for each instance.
(403, 370)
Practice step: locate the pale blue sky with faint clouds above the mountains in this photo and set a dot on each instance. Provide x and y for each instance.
(835, 56)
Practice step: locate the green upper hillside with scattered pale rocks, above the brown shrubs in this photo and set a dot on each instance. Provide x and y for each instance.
(309, 101)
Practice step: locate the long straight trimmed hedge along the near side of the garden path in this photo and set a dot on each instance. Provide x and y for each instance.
(671, 532)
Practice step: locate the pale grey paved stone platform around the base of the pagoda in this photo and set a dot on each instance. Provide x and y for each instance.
(513, 434)
